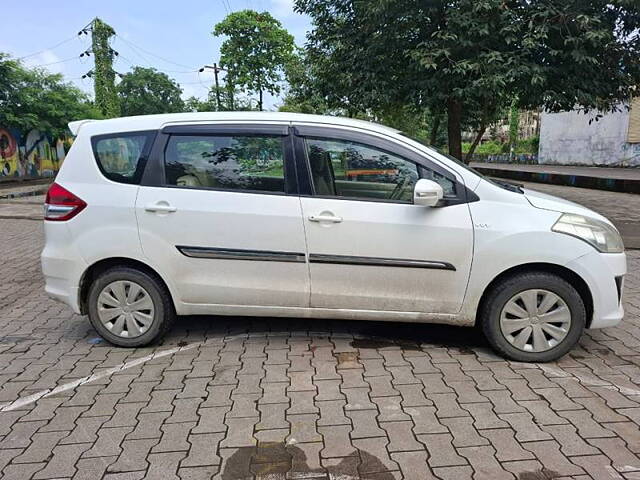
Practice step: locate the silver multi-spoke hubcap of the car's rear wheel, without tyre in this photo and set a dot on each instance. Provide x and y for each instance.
(125, 309)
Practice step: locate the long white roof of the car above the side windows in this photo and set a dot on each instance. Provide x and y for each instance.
(155, 122)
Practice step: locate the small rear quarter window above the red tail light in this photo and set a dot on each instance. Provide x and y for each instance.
(122, 157)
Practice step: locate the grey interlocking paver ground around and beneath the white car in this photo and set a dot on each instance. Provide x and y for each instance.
(245, 398)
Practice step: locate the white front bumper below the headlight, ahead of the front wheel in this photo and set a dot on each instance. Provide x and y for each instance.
(603, 273)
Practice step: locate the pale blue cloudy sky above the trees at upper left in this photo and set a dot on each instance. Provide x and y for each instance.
(171, 36)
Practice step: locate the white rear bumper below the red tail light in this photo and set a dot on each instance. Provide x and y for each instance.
(62, 266)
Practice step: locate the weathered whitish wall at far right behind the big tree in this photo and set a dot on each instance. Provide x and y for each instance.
(568, 138)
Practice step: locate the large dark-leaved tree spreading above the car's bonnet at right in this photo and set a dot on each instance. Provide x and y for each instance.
(469, 58)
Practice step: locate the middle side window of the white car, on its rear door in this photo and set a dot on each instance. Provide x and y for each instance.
(229, 162)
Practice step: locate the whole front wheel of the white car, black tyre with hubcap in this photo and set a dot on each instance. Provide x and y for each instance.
(533, 317)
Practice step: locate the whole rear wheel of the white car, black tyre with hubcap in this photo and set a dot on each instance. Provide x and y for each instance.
(129, 307)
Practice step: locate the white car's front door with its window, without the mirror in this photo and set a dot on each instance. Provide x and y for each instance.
(369, 247)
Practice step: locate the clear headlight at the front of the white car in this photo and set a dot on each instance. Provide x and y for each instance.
(601, 235)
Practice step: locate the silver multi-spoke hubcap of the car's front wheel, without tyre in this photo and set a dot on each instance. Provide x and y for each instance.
(535, 320)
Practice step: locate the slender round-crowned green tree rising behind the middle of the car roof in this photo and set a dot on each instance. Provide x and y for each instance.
(255, 52)
